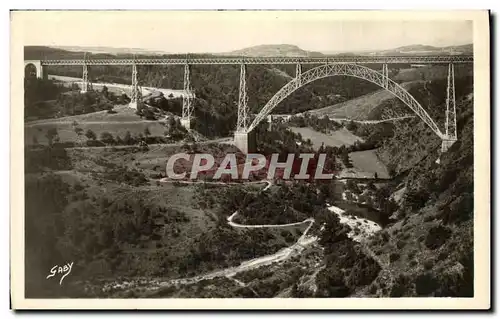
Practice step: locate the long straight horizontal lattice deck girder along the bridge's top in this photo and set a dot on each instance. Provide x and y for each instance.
(274, 60)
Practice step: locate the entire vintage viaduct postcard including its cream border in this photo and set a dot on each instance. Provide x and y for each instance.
(243, 158)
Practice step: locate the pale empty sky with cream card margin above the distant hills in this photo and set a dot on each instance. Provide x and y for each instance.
(223, 31)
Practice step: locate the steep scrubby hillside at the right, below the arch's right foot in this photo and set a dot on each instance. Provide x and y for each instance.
(429, 250)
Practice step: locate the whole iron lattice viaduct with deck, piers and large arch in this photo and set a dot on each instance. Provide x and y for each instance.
(328, 66)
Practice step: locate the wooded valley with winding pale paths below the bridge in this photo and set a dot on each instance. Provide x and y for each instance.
(97, 192)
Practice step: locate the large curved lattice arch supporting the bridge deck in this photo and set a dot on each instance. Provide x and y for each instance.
(355, 70)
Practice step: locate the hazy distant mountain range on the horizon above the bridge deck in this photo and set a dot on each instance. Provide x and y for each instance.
(266, 50)
